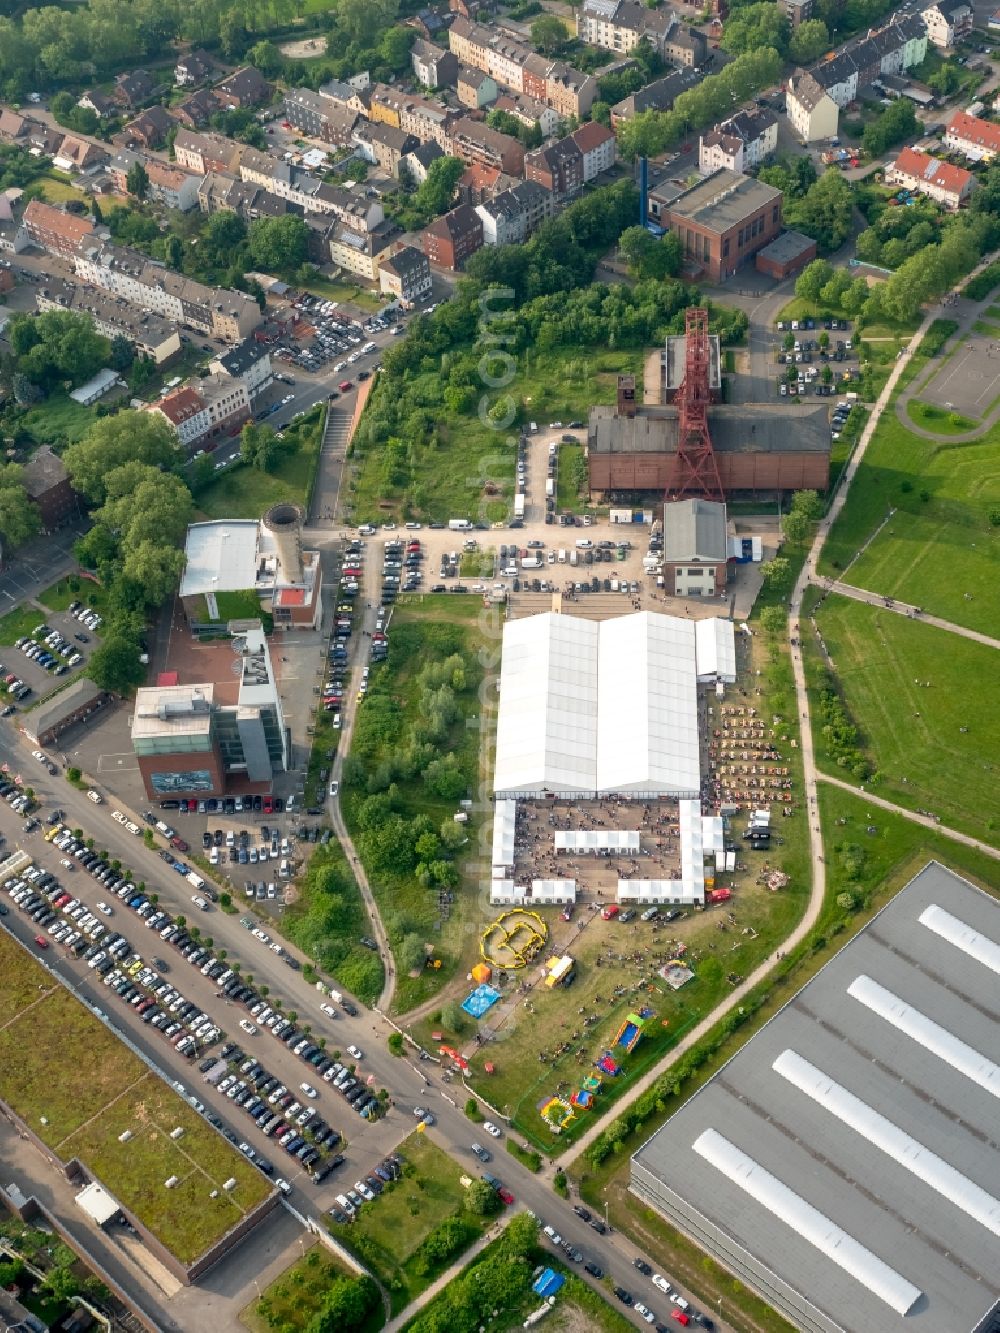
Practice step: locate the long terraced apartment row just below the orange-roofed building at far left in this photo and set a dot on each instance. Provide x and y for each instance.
(217, 311)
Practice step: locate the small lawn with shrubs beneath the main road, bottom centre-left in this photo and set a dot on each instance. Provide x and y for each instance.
(387, 1234)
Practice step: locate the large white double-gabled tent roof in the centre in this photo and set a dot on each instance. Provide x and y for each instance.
(591, 707)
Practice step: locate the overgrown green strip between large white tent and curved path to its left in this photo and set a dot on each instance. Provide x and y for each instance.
(426, 629)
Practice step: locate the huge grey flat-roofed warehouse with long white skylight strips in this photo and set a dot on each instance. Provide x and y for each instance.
(875, 1092)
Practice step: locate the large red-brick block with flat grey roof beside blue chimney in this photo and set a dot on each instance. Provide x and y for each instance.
(723, 222)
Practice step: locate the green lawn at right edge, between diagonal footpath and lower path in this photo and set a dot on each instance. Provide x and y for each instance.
(935, 748)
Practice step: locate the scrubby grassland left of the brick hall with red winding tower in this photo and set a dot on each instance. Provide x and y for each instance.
(470, 471)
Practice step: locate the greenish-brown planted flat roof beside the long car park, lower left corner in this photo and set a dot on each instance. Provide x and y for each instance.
(81, 1107)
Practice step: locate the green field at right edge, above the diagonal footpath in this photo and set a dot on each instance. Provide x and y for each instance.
(942, 542)
